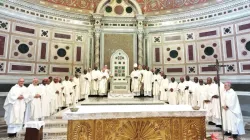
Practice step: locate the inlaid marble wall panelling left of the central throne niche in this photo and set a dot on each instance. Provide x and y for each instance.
(35, 49)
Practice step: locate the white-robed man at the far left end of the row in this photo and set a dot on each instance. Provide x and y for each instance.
(15, 107)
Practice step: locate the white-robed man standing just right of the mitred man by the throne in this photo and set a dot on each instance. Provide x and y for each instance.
(147, 82)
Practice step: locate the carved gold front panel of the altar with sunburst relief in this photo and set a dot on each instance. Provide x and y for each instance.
(169, 128)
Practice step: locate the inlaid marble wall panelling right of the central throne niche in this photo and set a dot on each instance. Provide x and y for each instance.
(192, 51)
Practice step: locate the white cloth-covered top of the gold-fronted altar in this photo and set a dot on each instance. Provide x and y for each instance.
(131, 111)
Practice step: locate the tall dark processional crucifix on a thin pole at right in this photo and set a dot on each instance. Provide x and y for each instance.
(217, 66)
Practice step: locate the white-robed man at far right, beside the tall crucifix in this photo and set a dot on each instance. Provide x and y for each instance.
(233, 118)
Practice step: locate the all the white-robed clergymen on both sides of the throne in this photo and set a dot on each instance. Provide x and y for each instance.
(38, 101)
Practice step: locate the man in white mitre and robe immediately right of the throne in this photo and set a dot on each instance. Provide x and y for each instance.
(136, 80)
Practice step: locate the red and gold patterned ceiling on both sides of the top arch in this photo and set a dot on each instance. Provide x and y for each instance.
(147, 6)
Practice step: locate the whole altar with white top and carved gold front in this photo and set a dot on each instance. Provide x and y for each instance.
(136, 122)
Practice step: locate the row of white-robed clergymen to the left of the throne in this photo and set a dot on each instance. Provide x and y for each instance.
(38, 101)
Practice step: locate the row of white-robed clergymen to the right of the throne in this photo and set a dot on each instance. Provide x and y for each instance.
(193, 93)
